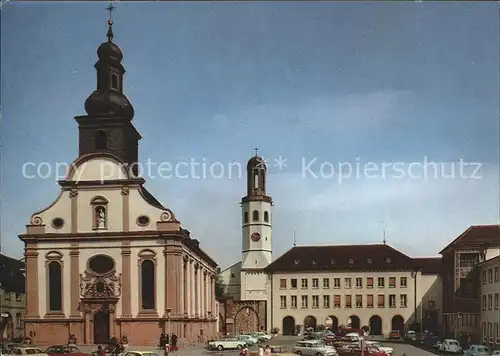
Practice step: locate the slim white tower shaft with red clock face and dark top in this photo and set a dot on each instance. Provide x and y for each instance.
(257, 251)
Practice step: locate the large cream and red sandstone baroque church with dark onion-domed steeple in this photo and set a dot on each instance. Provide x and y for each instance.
(106, 258)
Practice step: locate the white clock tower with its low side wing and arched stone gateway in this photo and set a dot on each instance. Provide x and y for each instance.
(246, 282)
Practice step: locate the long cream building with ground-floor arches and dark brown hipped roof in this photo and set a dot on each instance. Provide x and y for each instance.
(373, 287)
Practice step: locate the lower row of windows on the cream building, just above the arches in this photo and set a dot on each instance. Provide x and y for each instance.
(348, 301)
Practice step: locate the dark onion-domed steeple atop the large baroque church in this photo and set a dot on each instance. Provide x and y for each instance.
(107, 127)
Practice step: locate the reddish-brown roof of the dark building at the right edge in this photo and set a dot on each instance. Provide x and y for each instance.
(476, 235)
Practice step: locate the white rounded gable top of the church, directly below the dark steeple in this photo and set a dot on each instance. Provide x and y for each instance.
(102, 168)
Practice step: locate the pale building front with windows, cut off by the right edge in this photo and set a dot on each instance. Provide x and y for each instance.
(490, 301)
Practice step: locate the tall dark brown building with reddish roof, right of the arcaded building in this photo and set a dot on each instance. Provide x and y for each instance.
(461, 279)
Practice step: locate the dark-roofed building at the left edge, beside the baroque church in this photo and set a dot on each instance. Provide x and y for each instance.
(12, 299)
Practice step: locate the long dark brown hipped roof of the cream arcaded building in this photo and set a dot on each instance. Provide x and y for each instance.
(351, 257)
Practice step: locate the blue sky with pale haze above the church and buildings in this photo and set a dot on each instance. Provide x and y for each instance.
(340, 82)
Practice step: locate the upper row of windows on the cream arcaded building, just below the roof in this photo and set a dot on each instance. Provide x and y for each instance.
(304, 282)
